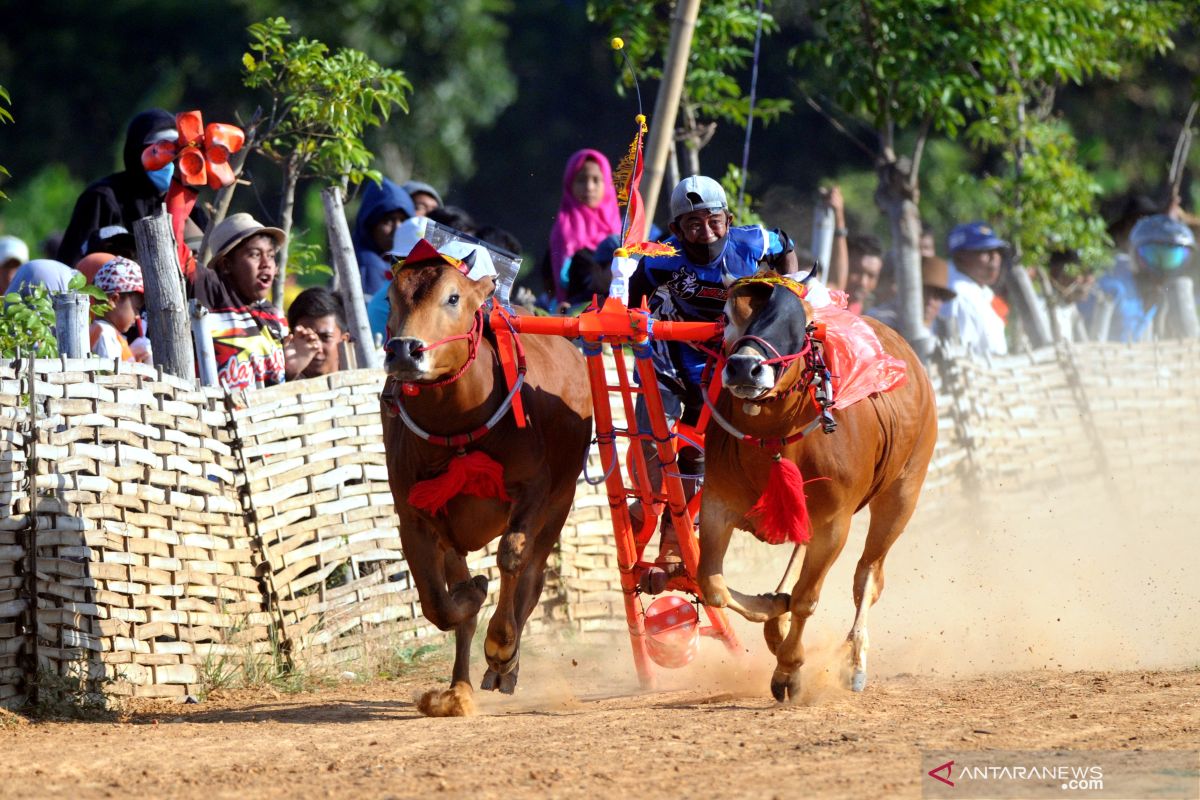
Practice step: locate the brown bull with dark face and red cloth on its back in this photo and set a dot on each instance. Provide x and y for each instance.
(878, 458)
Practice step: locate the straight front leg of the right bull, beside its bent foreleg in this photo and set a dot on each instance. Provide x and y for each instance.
(823, 552)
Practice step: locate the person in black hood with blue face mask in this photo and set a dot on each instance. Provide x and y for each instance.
(130, 195)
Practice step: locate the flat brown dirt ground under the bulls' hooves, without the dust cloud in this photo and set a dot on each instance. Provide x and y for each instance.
(370, 742)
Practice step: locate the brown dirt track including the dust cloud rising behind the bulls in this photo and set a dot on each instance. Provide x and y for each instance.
(1043, 623)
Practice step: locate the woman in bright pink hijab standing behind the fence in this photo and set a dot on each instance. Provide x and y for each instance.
(586, 216)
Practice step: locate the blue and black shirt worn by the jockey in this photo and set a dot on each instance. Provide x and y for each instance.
(680, 291)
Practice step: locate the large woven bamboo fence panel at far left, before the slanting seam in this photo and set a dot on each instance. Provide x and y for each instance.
(143, 556)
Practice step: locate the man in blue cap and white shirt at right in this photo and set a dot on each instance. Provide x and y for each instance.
(979, 256)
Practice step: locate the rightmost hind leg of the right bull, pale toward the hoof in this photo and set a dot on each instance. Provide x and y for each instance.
(891, 512)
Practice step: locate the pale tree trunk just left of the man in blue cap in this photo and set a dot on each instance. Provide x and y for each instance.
(896, 196)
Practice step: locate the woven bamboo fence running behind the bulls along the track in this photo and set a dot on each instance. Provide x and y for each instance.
(151, 532)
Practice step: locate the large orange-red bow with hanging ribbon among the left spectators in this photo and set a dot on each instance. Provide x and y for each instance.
(202, 155)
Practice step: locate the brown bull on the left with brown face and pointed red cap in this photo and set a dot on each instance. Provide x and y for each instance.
(440, 350)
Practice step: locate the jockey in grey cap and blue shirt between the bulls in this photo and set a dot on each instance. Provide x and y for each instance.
(692, 286)
